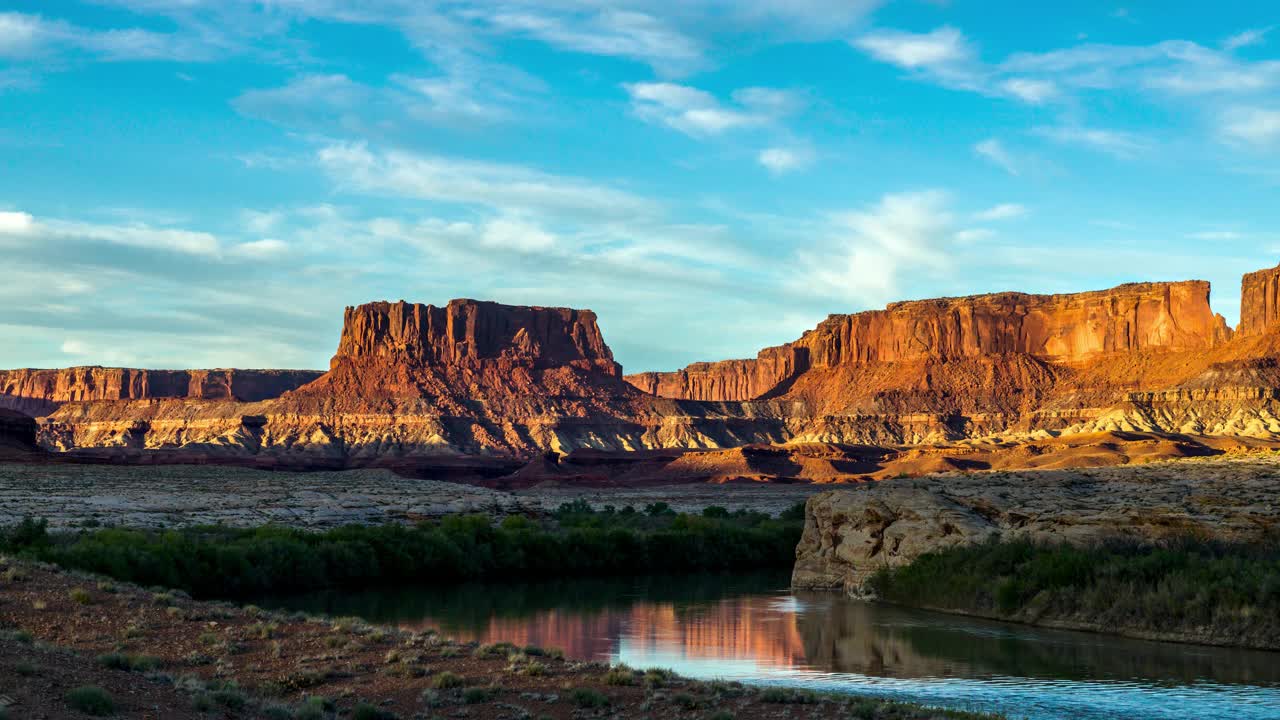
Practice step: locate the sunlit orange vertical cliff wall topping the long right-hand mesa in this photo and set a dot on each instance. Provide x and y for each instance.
(1067, 330)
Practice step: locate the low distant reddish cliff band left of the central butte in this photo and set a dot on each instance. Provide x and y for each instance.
(39, 393)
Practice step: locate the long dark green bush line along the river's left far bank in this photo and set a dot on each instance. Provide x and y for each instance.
(236, 563)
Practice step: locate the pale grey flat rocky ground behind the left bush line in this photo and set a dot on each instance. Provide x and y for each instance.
(76, 495)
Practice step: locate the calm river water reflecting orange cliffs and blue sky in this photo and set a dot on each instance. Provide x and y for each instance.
(753, 630)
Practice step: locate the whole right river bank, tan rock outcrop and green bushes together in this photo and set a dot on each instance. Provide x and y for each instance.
(1177, 552)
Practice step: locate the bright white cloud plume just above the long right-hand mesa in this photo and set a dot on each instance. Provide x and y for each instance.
(870, 250)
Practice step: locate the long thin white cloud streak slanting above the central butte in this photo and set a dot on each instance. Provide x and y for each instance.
(493, 185)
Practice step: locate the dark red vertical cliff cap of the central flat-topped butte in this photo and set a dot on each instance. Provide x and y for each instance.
(469, 334)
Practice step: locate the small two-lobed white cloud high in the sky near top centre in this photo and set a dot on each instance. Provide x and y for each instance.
(698, 113)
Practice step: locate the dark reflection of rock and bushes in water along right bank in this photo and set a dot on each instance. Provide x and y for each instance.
(848, 636)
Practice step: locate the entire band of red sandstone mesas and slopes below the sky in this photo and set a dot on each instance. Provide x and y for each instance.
(482, 380)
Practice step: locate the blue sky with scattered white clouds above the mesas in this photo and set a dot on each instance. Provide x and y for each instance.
(209, 183)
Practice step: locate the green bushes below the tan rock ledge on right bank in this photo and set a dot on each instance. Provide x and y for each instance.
(1180, 587)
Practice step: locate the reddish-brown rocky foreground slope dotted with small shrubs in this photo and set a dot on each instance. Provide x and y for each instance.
(70, 644)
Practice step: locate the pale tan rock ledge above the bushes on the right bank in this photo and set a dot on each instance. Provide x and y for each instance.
(852, 534)
